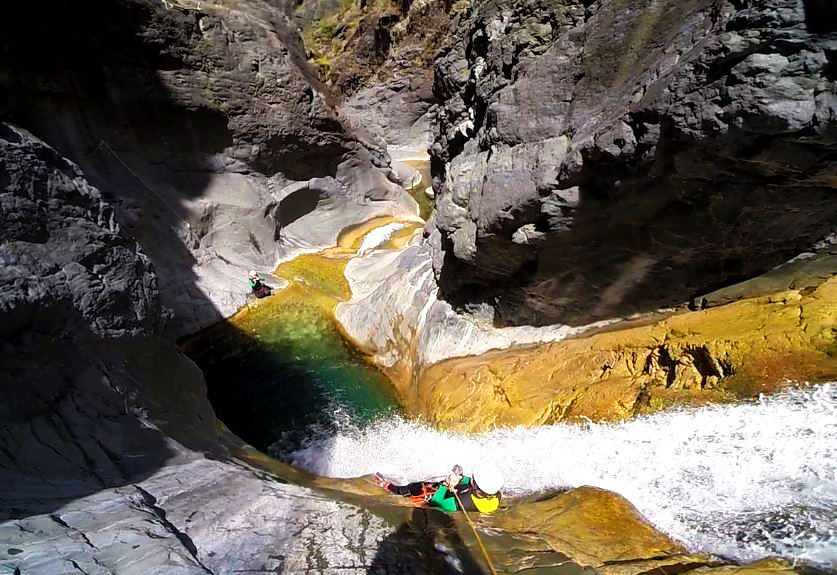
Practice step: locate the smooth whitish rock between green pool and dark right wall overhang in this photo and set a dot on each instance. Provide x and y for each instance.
(396, 316)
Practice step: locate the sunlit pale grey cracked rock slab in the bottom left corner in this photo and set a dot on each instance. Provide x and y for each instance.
(200, 517)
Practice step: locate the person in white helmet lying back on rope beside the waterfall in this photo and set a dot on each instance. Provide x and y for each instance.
(479, 493)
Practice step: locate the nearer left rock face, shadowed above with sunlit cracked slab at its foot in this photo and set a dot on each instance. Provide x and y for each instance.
(110, 461)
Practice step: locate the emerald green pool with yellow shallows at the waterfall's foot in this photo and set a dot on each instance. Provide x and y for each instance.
(282, 373)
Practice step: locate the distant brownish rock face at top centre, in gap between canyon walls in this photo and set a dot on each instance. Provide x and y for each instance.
(384, 67)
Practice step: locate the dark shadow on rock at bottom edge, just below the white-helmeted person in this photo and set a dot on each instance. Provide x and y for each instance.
(428, 543)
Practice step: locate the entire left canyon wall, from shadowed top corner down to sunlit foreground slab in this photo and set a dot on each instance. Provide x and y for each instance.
(197, 129)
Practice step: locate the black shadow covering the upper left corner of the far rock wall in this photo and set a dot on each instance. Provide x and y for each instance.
(103, 104)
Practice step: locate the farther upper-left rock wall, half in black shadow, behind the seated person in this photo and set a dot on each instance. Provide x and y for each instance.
(192, 118)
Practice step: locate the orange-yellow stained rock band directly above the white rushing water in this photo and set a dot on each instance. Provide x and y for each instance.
(718, 354)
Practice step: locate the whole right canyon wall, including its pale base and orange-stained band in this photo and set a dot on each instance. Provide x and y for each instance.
(597, 162)
